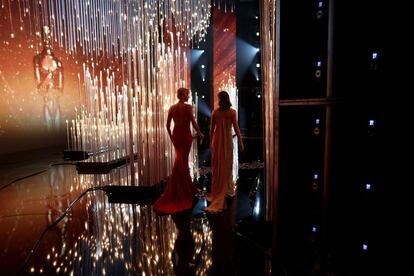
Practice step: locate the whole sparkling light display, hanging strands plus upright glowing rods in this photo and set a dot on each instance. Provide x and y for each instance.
(135, 56)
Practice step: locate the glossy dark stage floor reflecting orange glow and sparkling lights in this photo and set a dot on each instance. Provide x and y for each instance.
(55, 220)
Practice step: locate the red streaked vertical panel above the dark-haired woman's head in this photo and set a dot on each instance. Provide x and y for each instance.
(224, 45)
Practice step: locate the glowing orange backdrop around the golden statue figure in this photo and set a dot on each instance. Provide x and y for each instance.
(22, 119)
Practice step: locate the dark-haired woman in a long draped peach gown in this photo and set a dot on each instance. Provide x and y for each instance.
(223, 120)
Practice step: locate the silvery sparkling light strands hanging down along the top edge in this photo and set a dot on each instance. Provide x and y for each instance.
(97, 28)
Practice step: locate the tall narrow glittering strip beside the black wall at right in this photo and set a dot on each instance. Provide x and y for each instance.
(270, 32)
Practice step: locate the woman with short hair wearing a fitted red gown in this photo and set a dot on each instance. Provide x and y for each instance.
(178, 195)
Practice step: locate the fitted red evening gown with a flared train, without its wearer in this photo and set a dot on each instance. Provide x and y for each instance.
(178, 195)
